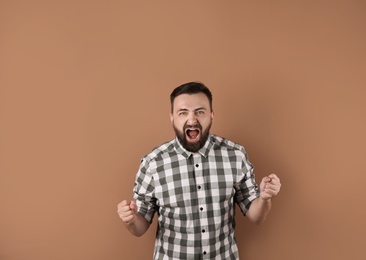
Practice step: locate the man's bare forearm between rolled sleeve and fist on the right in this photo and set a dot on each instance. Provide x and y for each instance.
(258, 210)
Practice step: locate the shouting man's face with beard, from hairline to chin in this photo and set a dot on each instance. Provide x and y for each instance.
(191, 119)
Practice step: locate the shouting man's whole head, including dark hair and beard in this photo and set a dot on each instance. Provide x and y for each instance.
(191, 114)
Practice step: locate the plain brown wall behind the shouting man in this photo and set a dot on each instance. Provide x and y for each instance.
(84, 89)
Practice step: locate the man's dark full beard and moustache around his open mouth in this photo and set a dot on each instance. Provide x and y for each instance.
(192, 146)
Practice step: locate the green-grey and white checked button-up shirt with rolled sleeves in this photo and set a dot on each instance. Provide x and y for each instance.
(194, 195)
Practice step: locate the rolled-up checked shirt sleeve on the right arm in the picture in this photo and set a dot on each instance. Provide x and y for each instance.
(246, 188)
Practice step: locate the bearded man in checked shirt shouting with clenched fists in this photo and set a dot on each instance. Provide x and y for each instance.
(193, 183)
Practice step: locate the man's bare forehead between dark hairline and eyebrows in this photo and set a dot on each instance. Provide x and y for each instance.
(191, 101)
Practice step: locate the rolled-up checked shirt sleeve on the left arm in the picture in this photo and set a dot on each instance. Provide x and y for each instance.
(143, 192)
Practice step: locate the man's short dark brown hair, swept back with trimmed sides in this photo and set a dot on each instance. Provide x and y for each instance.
(193, 87)
